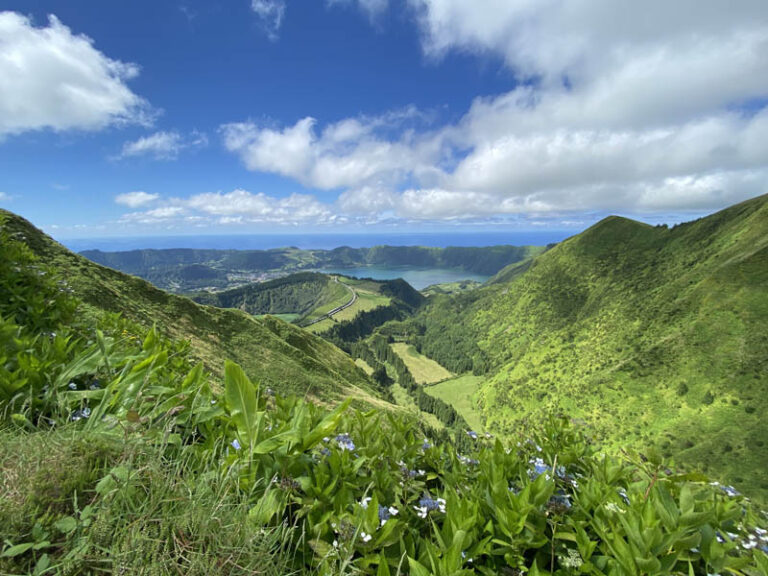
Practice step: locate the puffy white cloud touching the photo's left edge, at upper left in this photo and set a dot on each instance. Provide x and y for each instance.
(55, 79)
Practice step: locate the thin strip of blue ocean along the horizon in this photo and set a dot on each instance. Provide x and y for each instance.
(320, 241)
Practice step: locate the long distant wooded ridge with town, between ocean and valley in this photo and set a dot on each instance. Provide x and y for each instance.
(186, 270)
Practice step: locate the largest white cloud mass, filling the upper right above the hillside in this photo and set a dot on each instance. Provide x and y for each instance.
(645, 108)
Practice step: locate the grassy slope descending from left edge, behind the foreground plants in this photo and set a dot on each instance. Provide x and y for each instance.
(271, 351)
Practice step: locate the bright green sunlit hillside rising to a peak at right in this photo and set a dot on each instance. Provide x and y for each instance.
(651, 335)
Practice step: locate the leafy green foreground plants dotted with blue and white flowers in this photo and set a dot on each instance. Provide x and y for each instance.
(133, 461)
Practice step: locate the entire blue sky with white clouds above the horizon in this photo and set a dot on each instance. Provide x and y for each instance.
(311, 116)
